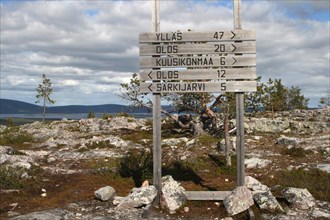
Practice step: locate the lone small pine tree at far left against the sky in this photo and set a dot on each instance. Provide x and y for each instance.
(44, 91)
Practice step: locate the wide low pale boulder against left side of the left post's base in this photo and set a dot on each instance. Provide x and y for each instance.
(139, 197)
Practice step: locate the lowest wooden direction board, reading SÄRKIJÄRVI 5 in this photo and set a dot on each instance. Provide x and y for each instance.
(184, 87)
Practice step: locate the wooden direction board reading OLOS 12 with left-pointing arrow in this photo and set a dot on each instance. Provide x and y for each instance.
(198, 74)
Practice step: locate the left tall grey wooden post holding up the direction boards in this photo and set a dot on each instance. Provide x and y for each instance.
(157, 151)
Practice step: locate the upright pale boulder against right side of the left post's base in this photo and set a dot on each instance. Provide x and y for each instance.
(173, 194)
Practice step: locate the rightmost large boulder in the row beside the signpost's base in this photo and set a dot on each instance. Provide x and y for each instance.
(299, 198)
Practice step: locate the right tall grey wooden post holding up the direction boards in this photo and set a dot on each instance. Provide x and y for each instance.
(239, 111)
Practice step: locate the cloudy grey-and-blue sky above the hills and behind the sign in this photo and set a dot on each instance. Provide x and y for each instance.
(87, 48)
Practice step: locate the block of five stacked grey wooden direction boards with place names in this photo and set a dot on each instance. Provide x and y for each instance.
(209, 61)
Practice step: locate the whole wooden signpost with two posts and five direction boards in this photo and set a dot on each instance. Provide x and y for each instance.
(217, 61)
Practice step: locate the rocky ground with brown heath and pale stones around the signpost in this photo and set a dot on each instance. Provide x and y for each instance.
(52, 170)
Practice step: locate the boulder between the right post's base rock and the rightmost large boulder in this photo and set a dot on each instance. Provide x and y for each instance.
(267, 201)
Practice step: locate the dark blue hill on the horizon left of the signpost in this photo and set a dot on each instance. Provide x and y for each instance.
(8, 106)
